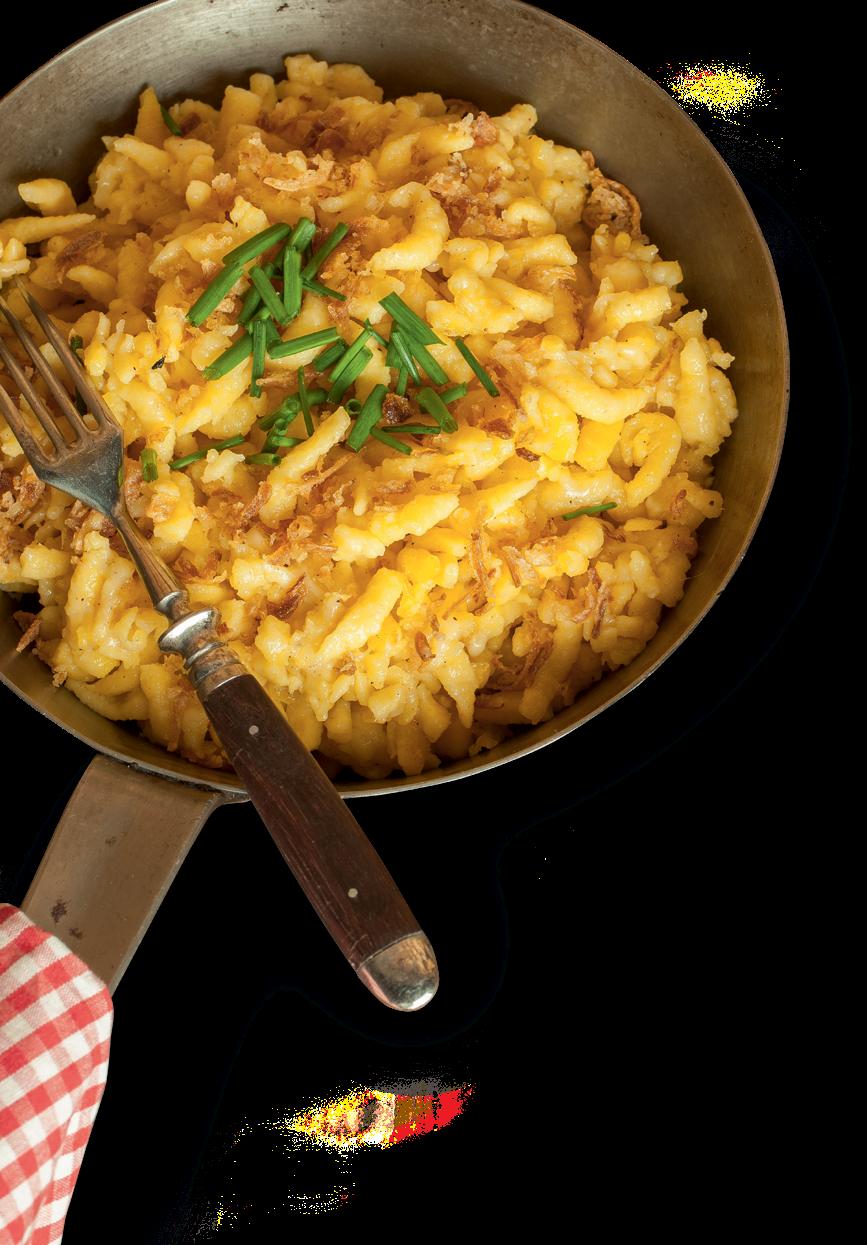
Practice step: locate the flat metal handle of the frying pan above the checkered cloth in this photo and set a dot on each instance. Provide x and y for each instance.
(124, 836)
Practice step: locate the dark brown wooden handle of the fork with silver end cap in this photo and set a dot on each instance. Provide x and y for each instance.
(323, 845)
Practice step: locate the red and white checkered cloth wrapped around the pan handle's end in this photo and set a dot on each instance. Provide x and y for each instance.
(55, 1027)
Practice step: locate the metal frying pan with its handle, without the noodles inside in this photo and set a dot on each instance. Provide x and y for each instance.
(139, 809)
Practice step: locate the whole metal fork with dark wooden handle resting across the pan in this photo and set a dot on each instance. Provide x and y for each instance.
(321, 841)
